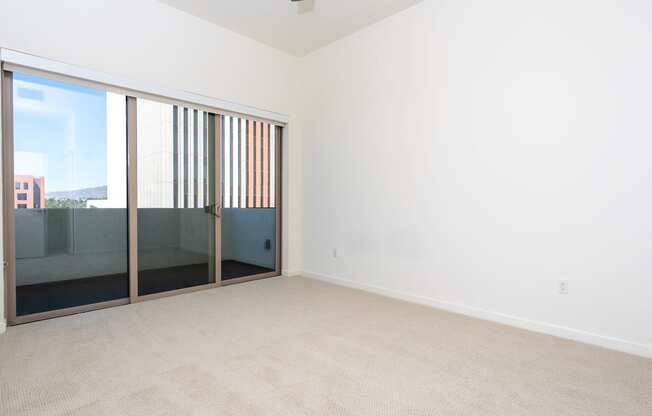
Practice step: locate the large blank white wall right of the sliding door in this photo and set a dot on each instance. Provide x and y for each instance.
(471, 154)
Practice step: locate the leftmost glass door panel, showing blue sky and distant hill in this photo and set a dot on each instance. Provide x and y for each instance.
(70, 195)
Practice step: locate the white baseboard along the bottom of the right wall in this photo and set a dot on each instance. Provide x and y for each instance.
(536, 326)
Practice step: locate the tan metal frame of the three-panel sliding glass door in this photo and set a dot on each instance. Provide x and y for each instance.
(8, 217)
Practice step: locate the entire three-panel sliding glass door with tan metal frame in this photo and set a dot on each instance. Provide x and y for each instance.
(113, 198)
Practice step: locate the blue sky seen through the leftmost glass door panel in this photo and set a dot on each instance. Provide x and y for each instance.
(59, 133)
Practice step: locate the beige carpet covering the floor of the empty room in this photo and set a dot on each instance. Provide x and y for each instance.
(292, 346)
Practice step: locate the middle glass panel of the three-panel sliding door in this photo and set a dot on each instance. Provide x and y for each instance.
(177, 215)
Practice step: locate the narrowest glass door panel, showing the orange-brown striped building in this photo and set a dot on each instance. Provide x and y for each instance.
(249, 200)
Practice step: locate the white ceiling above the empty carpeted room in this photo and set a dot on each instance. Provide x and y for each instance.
(277, 22)
